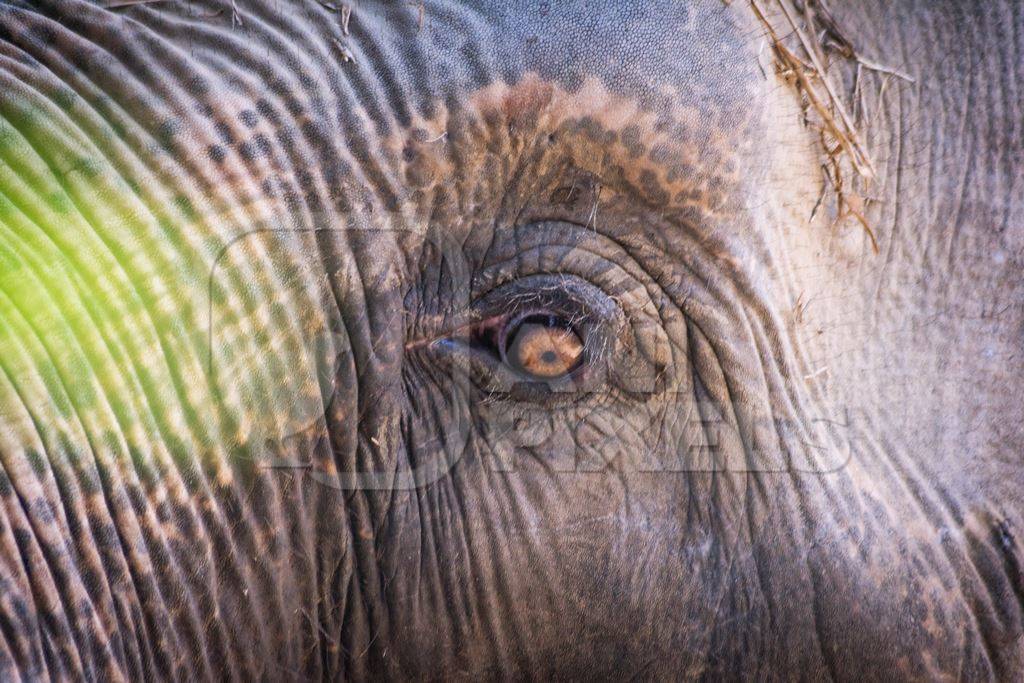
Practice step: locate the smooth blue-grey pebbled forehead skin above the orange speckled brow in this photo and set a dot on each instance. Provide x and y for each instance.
(635, 49)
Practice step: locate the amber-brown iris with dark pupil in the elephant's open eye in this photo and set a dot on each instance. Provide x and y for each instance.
(543, 347)
